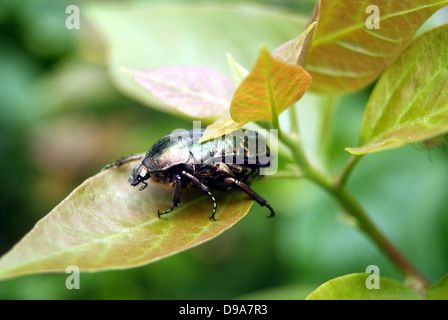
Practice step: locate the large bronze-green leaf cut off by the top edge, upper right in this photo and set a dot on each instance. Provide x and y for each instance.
(345, 55)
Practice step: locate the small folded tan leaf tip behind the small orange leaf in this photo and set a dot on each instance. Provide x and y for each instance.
(291, 51)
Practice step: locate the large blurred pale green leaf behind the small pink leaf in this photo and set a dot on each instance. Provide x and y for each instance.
(147, 35)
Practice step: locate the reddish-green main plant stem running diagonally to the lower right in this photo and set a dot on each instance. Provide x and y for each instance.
(353, 208)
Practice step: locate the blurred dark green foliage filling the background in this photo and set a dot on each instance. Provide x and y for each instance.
(61, 120)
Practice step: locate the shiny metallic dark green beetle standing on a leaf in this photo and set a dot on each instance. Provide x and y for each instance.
(221, 164)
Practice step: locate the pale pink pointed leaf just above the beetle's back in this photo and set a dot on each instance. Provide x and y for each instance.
(198, 92)
